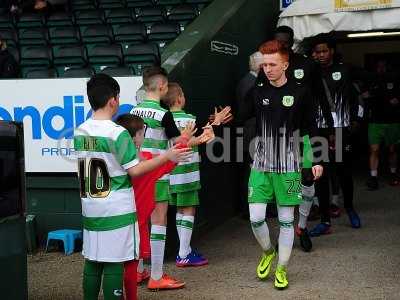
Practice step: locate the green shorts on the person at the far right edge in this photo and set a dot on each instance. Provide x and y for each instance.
(387, 133)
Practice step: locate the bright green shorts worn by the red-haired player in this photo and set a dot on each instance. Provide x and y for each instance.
(284, 187)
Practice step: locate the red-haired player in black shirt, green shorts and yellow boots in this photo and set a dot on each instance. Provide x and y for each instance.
(284, 116)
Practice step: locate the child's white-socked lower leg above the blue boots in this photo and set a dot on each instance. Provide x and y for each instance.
(186, 230)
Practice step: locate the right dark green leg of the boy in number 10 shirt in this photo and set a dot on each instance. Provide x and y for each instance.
(113, 281)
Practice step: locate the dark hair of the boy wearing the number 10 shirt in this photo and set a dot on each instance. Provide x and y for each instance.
(100, 89)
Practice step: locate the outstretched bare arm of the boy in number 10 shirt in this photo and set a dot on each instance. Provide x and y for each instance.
(174, 154)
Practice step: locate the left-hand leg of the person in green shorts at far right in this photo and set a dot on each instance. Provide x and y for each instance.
(375, 137)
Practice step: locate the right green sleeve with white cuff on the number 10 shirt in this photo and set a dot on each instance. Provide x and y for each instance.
(125, 151)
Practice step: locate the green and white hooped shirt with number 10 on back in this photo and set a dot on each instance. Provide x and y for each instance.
(105, 151)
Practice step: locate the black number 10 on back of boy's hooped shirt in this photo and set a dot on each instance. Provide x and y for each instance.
(94, 178)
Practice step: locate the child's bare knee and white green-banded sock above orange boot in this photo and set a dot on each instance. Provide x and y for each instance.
(157, 239)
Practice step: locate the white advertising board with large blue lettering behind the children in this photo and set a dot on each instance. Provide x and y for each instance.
(50, 109)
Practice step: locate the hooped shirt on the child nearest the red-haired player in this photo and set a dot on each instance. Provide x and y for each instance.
(186, 175)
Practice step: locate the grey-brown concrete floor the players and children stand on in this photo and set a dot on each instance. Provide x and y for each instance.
(349, 264)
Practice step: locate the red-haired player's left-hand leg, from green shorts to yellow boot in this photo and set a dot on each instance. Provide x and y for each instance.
(260, 193)
